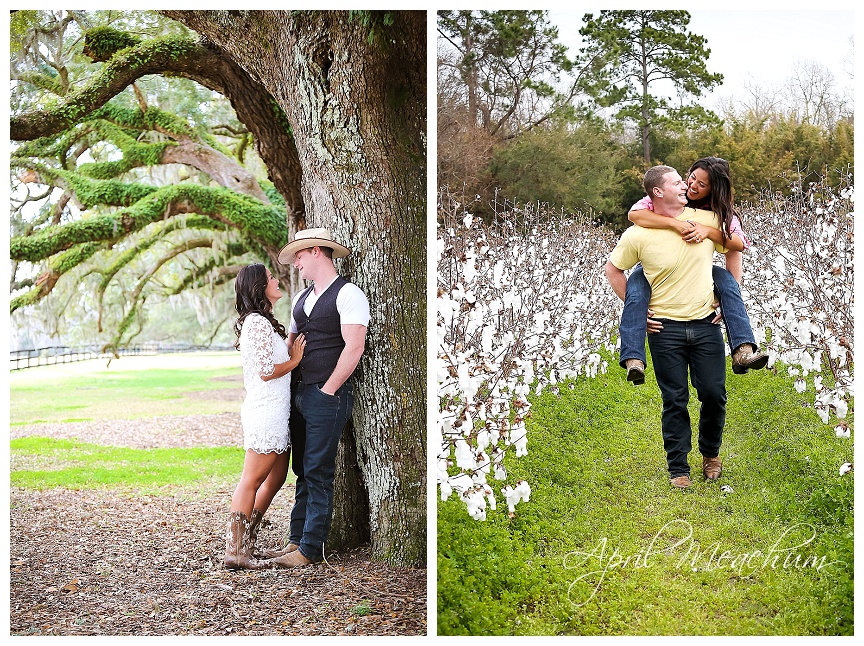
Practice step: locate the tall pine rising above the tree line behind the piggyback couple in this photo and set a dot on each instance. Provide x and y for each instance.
(645, 48)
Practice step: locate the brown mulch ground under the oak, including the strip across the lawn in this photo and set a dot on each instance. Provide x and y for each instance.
(104, 563)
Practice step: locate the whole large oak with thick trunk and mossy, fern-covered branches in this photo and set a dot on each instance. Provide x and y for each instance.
(336, 105)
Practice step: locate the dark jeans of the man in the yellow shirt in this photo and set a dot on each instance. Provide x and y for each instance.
(696, 346)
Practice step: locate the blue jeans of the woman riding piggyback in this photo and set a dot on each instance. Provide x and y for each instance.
(633, 326)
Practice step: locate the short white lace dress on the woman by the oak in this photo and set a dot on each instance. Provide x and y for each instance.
(265, 410)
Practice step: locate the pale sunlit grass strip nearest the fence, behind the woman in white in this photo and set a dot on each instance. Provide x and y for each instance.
(131, 387)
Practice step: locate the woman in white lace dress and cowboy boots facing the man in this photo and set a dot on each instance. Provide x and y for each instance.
(265, 410)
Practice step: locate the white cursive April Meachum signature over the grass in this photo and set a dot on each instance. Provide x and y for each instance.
(677, 535)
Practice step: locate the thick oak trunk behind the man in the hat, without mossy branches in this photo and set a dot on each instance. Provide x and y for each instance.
(353, 89)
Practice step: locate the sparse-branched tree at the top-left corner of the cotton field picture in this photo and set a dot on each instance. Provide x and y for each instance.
(501, 74)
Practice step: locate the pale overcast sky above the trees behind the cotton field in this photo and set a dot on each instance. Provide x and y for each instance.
(754, 46)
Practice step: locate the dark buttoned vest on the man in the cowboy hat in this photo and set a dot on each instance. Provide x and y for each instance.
(323, 331)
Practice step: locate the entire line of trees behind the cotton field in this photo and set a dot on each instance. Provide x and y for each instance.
(519, 120)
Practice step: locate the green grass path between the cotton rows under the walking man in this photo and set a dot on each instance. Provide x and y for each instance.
(600, 494)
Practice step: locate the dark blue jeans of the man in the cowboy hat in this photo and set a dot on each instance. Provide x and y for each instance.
(317, 421)
